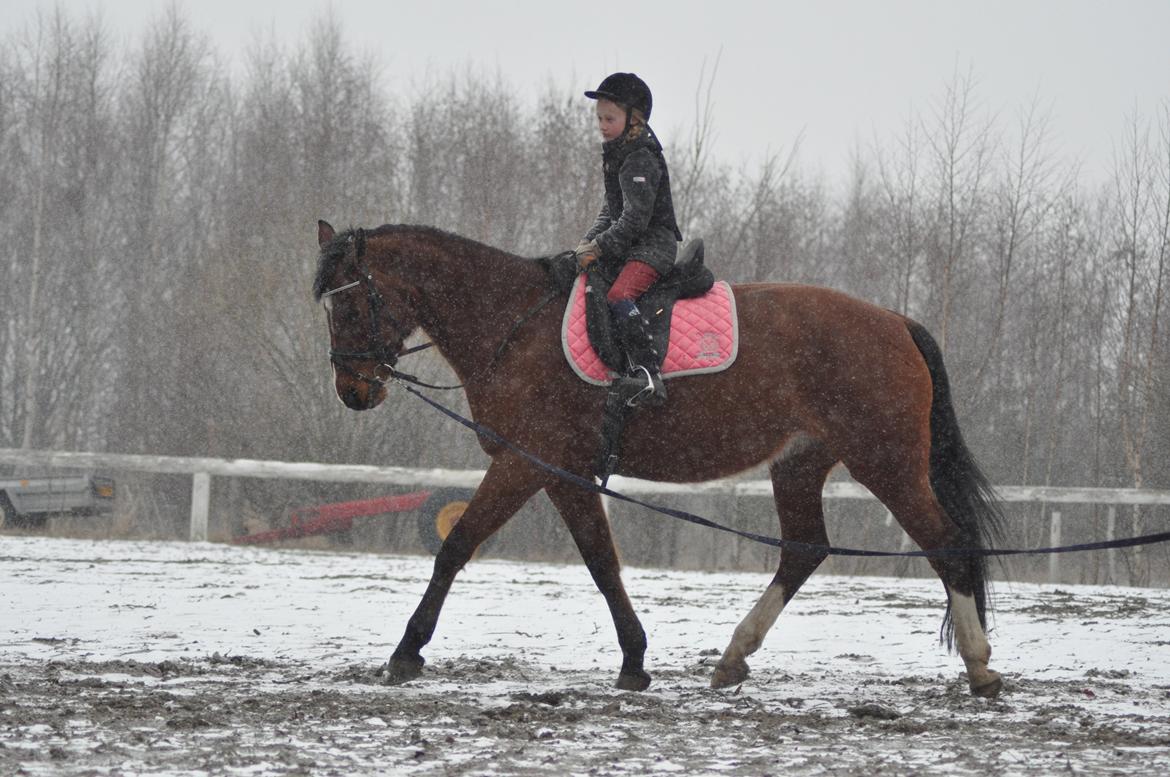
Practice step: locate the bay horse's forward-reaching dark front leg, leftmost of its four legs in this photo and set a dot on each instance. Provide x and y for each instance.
(508, 484)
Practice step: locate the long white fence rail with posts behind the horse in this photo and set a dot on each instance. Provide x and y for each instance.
(204, 469)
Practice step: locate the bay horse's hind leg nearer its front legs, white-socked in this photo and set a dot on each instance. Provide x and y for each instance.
(799, 478)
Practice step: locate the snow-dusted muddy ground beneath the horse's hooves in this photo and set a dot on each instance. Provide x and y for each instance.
(189, 659)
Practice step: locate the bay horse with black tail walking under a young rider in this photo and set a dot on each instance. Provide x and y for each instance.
(821, 380)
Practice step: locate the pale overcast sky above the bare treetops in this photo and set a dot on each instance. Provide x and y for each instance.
(839, 72)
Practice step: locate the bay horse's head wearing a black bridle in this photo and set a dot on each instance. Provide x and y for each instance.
(369, 314)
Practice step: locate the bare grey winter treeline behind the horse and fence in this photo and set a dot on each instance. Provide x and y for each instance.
(160, 209)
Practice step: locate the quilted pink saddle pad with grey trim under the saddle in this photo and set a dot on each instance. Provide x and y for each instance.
(705, 336)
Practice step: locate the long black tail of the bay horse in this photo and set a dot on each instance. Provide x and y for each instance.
(961, 489)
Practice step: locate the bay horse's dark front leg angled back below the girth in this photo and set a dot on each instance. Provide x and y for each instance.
(586, 518)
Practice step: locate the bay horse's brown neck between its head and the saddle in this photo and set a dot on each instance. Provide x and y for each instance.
(472, 298)
